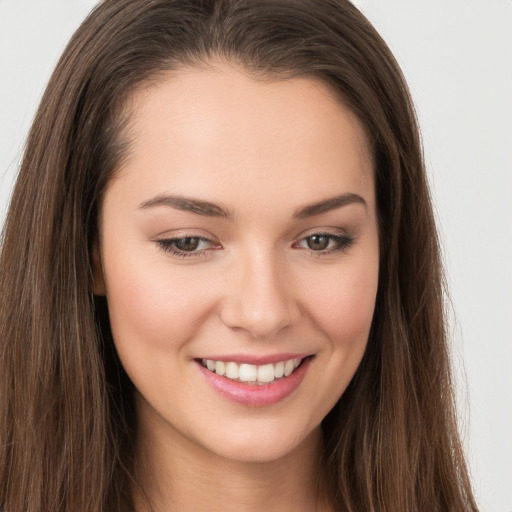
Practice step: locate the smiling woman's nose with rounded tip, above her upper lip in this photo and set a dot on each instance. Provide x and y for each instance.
(260, 298)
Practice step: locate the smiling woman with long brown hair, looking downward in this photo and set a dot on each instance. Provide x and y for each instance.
(220, 274)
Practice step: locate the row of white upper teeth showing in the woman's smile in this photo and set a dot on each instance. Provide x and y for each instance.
(252, 373)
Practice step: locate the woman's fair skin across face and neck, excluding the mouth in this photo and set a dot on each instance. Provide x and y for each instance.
(282, 259)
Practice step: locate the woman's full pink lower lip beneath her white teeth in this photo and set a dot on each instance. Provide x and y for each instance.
(256, 395)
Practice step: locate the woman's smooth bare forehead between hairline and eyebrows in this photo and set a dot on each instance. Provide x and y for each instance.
(219, 129)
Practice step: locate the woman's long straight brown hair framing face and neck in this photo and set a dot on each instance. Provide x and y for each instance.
(67, 422)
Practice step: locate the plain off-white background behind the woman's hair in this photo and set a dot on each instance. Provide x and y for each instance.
(457, 58)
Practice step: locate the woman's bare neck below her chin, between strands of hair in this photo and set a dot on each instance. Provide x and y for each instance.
(178, 475)
